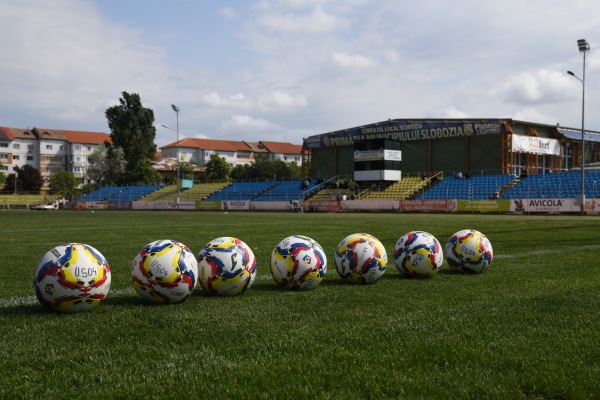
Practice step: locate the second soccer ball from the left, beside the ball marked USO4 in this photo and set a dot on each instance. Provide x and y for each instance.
(164, 271)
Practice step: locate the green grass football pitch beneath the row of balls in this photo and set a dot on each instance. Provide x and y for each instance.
(528, 328)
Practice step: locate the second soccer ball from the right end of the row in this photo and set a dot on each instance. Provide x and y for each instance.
(418, 254)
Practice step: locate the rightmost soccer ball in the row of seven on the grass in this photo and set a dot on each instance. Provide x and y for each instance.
(469, 251)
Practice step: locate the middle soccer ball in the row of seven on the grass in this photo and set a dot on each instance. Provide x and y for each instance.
(298, 262)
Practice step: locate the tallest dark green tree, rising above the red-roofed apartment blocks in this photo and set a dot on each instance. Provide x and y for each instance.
(132, 129)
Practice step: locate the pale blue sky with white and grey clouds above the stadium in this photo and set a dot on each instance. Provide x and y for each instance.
(283, 70)
